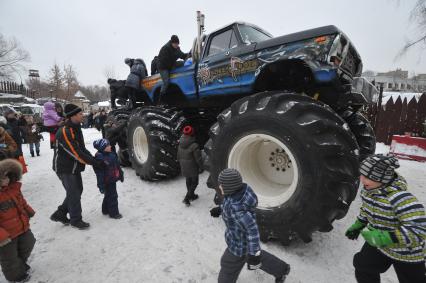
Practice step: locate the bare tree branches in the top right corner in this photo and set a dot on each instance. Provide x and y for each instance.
(418, 17)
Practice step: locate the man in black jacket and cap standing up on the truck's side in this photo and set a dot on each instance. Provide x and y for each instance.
(167, 57)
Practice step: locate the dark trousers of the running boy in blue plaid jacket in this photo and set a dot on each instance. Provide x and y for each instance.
(231, 266)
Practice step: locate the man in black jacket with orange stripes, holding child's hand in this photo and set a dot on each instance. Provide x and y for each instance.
(70, 159)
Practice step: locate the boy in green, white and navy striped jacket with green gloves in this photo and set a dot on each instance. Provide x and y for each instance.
(393, 223)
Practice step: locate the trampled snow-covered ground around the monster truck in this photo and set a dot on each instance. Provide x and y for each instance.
(160, 240)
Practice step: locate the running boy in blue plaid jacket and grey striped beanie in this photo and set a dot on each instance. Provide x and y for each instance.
(242, 233)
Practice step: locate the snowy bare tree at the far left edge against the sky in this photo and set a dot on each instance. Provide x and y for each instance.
(12, 55)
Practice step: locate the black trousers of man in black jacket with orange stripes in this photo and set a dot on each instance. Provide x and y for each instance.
(73, 185)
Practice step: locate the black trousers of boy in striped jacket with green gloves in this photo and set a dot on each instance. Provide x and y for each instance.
(369, 263)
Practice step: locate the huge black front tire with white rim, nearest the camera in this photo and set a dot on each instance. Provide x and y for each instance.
(297, 154)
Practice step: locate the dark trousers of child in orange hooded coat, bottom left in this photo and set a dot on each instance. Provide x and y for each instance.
(14, 256)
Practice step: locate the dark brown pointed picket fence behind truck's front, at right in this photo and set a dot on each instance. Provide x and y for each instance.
(397, 117)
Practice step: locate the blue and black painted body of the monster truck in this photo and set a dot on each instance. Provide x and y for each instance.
(242, 59)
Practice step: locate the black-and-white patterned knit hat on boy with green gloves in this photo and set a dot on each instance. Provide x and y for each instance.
(379, 168)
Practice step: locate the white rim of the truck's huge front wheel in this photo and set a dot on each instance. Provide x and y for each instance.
(268, 166)
